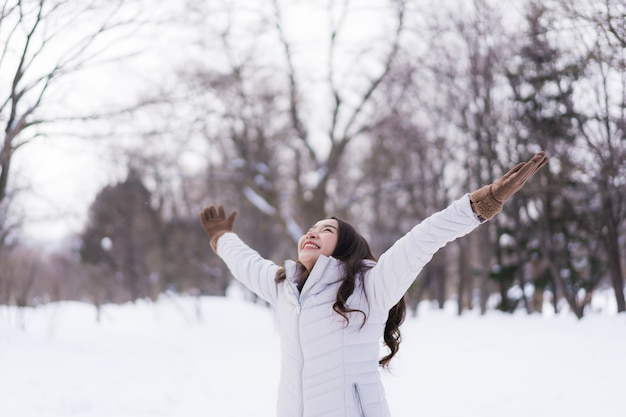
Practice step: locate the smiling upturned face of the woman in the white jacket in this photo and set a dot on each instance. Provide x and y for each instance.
(321, 239)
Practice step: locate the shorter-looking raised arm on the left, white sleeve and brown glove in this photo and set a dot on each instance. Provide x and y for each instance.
(246, 265)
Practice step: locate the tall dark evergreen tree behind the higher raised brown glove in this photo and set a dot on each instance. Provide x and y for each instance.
(543, 82)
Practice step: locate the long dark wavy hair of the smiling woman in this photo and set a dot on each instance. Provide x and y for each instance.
(352, 250)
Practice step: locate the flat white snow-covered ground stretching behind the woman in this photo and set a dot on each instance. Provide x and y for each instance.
(184, 357)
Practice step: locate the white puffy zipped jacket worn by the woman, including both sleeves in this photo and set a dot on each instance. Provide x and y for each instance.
(329, 369)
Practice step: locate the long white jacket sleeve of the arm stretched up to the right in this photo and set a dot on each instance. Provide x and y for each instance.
(399, 266)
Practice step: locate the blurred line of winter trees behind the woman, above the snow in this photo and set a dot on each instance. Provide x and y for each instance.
(381, 113)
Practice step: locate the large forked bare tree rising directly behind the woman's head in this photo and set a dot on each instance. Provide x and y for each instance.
(281, 159)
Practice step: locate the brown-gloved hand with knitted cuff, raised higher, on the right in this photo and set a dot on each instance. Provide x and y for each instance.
(488, 201)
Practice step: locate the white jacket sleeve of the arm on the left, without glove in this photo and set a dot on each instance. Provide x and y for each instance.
(248, 267)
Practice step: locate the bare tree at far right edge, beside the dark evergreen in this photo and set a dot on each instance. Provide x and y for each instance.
(599, 29)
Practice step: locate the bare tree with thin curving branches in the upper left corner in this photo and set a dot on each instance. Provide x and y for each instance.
(43, 42)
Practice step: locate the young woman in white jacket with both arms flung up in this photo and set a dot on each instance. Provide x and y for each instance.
(336, 301)
